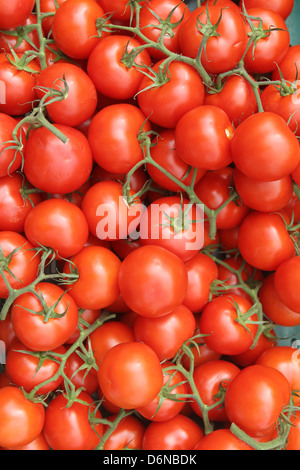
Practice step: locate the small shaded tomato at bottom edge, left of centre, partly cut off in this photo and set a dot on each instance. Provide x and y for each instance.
(127, 435)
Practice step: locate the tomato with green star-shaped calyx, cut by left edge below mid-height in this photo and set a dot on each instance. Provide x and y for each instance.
(19, 262)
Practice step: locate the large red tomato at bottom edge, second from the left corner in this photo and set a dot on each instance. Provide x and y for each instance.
(68, 428)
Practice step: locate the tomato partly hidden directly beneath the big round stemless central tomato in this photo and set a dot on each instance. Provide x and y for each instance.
(166, 334)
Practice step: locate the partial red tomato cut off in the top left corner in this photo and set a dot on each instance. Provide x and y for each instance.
(15, 13)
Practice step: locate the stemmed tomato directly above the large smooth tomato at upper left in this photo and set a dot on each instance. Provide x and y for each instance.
(77, 107)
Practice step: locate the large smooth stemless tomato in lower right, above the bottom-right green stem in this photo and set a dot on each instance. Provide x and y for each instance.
(255, 398)
